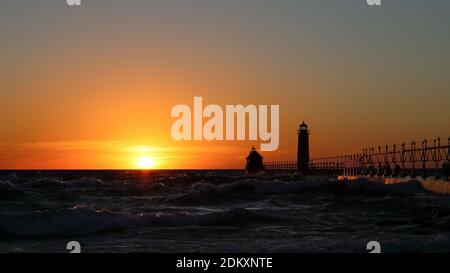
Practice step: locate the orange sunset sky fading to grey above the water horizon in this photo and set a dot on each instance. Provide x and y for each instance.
(92, 87)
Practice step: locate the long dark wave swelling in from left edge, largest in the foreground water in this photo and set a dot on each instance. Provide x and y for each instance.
(80, 221)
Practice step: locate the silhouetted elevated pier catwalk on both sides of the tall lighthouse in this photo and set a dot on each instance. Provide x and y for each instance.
(426, 158)
